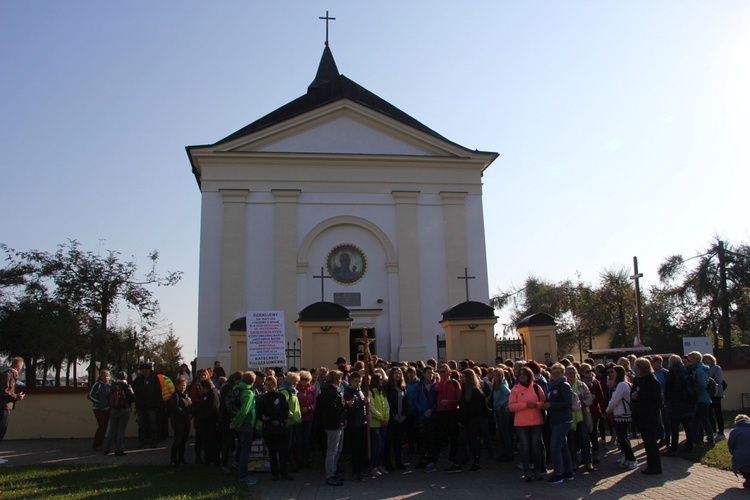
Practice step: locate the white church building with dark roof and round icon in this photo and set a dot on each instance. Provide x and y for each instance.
(341, 184)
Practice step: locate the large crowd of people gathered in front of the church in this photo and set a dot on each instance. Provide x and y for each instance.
(558, 413)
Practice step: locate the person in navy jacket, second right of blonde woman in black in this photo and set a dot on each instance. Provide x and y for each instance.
(680, 395)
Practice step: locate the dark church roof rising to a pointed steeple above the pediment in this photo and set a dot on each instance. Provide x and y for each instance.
(329, 86)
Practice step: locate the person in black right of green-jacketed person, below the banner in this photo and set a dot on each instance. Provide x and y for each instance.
(272, 410)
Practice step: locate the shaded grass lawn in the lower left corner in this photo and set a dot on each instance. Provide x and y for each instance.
(116, 481)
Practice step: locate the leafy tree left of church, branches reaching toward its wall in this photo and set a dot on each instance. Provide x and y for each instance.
(93, 287)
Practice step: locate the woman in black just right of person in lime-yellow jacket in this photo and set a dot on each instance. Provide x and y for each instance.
(398, 403)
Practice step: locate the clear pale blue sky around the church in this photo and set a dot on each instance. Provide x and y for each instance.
(622, 127)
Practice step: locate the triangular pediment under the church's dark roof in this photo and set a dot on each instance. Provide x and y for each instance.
(343, 127)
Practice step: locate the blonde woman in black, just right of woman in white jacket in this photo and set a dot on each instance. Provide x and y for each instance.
(646, 405)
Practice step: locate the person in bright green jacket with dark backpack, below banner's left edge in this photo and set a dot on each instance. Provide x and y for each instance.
(241, 408)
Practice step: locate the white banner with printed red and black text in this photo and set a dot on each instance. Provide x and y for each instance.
(265, 339)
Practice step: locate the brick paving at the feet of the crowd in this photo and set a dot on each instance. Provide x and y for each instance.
(681, 479)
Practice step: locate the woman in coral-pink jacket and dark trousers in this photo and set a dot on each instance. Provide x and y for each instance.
(525, 401)
